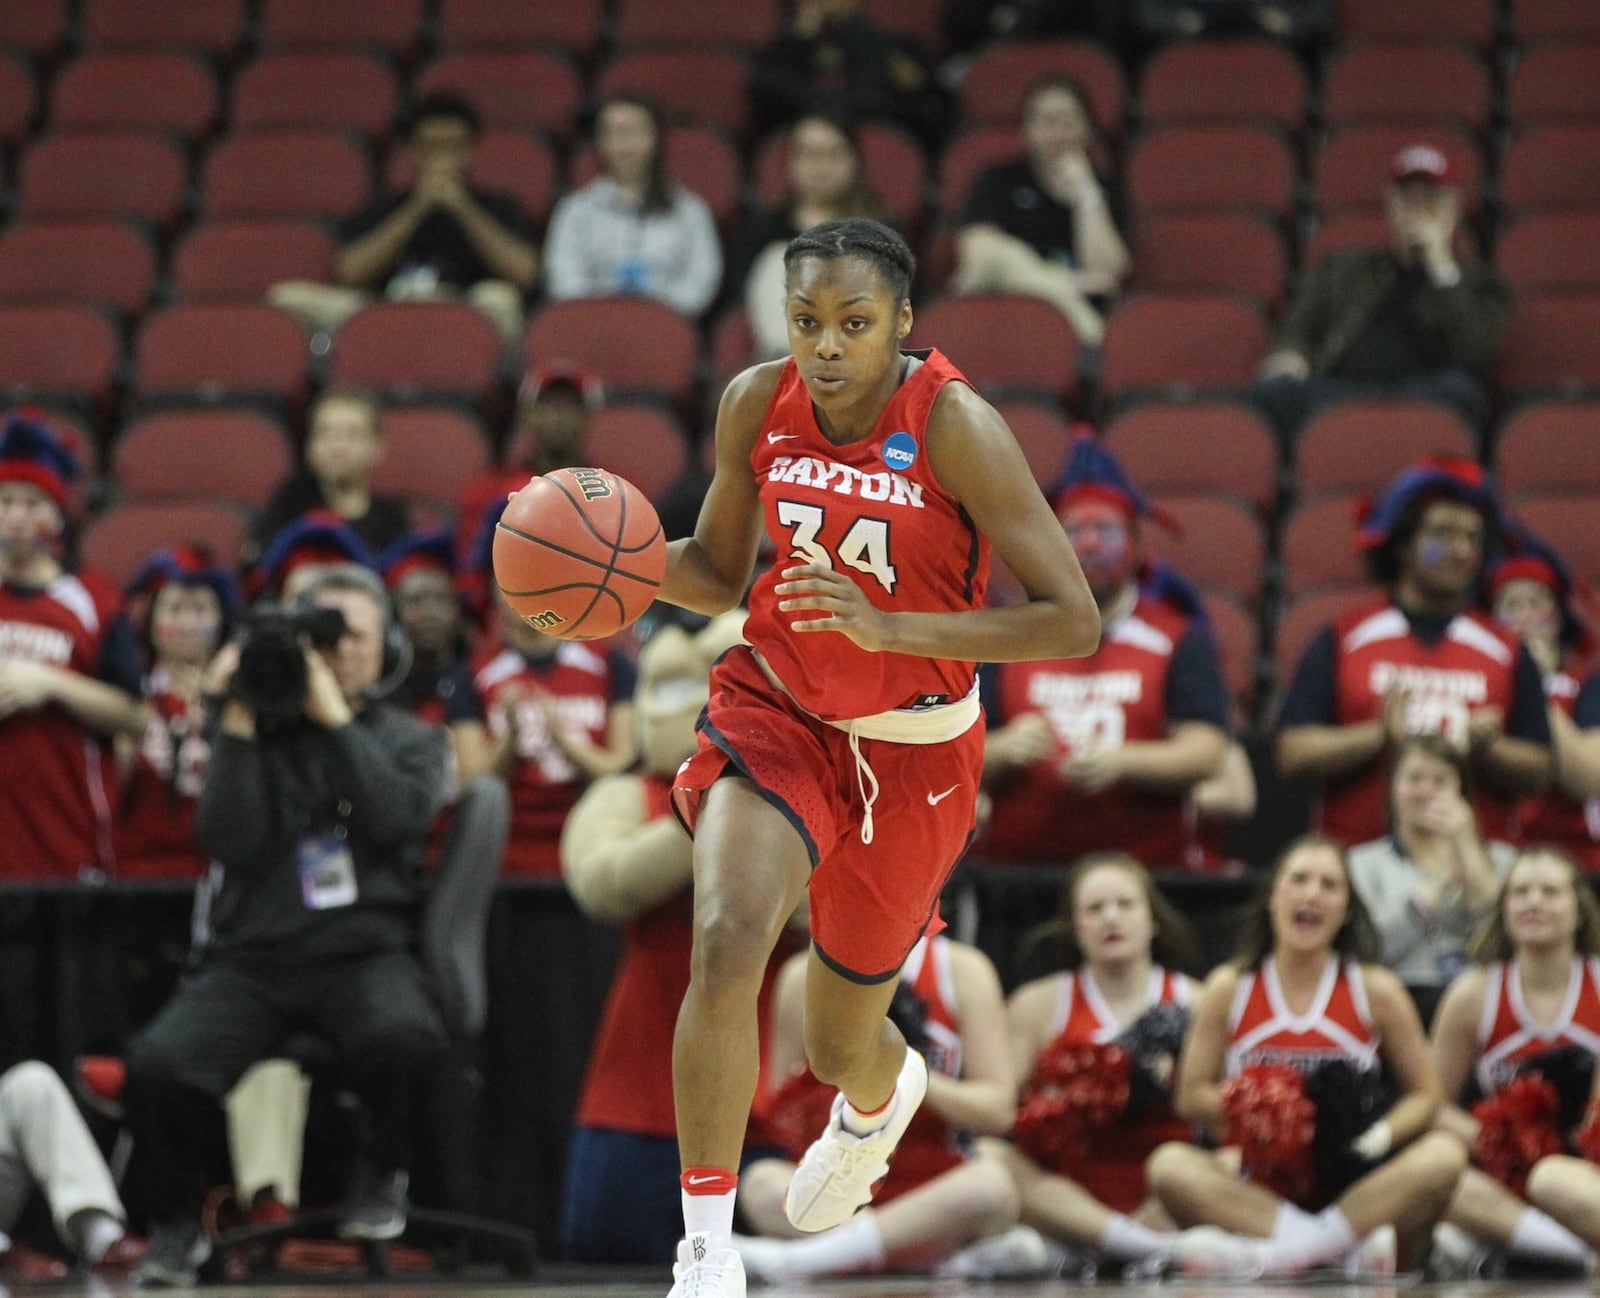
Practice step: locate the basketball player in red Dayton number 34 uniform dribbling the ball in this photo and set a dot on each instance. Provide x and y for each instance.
(842, 748)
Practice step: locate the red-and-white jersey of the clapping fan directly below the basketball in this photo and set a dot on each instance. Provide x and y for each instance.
(545, 782)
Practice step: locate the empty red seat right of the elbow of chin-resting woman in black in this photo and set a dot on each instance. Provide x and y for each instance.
(1210, 254)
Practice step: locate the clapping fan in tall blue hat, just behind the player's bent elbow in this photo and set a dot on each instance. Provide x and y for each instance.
(1103, 753)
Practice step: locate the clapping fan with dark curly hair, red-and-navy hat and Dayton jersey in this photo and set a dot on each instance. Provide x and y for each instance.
(1418, 659)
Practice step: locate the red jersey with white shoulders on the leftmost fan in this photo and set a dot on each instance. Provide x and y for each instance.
(57, 779)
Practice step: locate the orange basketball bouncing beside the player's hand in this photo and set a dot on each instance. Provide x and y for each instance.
(580, 555)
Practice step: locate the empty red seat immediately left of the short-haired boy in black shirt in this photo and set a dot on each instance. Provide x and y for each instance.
(231, 457)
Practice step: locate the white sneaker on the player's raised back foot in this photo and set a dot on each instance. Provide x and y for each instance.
(838, 1174)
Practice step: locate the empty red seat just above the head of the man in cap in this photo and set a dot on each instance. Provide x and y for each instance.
(1407, 84)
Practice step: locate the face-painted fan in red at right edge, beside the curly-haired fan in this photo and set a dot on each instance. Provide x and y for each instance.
(1532, 593)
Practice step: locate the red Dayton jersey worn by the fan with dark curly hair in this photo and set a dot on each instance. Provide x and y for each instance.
(1473, 667)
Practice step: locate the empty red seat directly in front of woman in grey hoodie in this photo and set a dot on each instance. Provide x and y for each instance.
(636, 347)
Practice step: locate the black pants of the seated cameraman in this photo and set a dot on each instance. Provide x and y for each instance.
(374, 1012)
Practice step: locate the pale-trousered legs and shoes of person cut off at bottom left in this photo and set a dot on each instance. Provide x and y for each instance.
(46, 1145)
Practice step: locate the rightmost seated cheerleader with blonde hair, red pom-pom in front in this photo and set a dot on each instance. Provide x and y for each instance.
(1535, 993)
